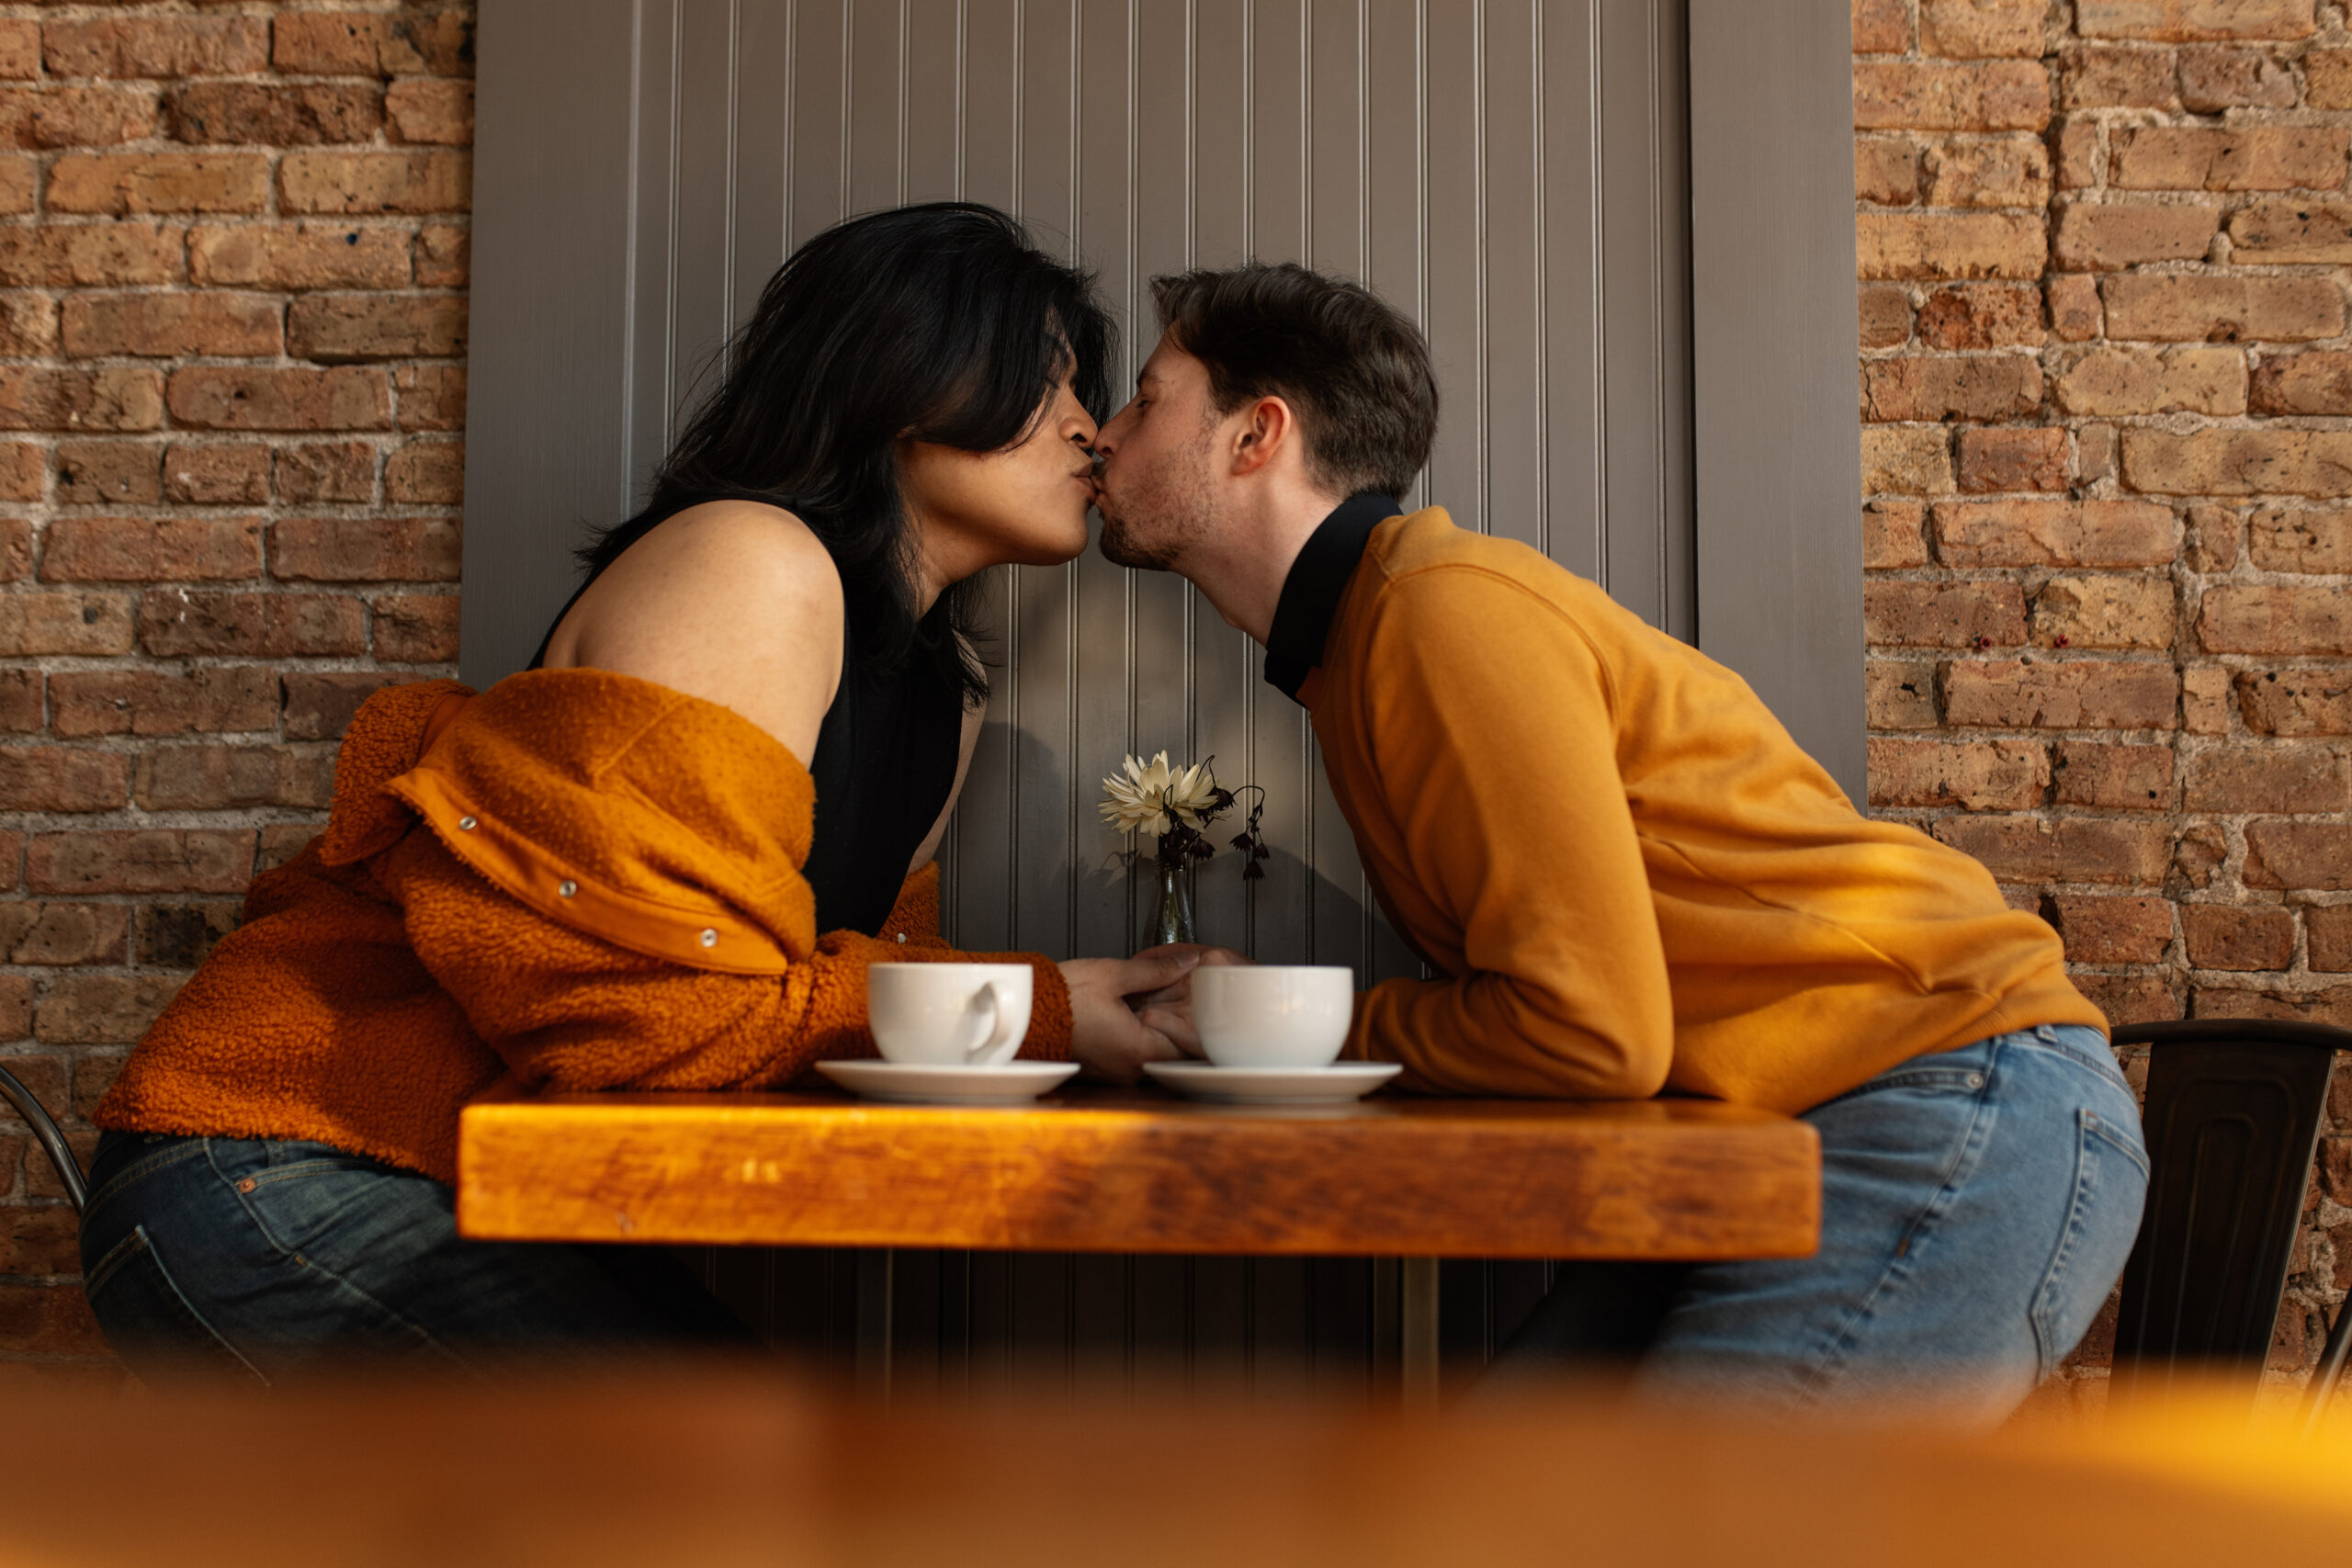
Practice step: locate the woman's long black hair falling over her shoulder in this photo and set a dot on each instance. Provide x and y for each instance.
(942, 323)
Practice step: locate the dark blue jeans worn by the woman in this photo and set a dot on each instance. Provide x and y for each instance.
(267, 1259)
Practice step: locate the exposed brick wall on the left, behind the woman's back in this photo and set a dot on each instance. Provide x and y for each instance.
(232, 391)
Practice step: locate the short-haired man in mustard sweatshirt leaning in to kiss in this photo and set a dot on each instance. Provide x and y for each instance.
(1633, 883)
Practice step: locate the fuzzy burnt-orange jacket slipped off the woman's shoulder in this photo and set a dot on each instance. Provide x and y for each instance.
(573, 880)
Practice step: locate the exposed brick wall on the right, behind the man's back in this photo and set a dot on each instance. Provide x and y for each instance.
(2109, 495)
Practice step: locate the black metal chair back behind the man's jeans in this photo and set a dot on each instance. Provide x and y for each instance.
(2233, 1120)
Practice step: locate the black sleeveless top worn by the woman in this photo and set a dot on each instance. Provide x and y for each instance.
(886, 763)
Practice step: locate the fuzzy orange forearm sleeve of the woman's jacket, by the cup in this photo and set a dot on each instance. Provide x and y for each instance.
(573, 1012)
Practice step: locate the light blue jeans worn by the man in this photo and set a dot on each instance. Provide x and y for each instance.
(1977, 1209)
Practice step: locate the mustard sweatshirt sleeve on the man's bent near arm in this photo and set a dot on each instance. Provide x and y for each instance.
(1492, 728)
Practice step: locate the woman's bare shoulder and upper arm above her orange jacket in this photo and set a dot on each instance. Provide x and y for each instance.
(733, 603)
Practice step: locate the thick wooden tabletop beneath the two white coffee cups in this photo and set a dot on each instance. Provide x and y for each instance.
(1135, 1172)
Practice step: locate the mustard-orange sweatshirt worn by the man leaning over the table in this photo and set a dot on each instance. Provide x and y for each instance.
(1629, 873)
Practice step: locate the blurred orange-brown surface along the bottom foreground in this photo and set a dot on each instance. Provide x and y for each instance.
(742, 1466)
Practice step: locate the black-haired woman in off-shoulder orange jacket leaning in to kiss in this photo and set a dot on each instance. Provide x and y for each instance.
(613, 871)
